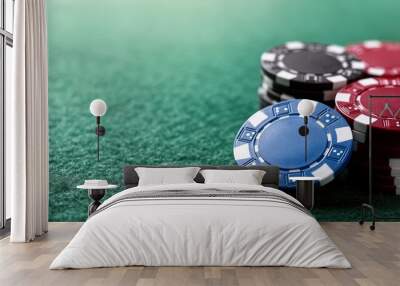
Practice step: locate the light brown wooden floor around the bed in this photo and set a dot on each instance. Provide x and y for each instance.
(375, 257)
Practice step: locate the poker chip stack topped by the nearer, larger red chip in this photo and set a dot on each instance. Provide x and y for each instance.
(381, 115)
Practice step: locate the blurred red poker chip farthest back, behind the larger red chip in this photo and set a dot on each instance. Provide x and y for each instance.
(380, 58)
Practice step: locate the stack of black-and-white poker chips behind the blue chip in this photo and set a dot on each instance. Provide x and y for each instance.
(313, 71)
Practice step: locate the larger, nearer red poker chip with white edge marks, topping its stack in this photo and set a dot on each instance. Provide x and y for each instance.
(353, 102)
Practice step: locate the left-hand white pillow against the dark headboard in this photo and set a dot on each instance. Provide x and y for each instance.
(162, 176)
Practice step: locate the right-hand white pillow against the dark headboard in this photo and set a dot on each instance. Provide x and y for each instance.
(247, 177)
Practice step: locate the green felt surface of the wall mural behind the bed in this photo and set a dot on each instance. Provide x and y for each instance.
(179, 77)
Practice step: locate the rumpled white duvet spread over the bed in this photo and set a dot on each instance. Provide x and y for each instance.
(200, 231)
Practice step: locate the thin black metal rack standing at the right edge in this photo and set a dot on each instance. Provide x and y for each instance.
(369, 206)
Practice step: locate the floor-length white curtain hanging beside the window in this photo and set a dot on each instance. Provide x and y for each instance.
(27, 124)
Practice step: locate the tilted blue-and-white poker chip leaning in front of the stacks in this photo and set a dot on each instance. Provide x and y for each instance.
(271, 137)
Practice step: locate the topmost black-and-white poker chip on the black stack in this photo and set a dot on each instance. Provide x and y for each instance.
(311, 66)
